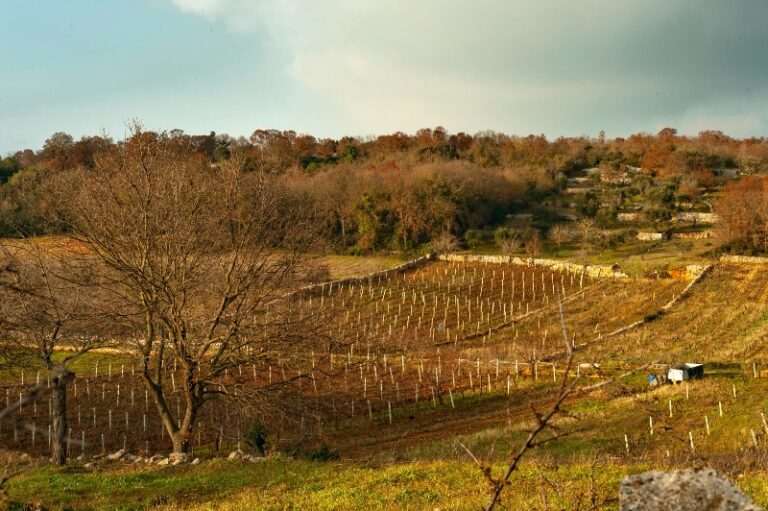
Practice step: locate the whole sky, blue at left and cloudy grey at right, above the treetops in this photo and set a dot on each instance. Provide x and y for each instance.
(367, 67)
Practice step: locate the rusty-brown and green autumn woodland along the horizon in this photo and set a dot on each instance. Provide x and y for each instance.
(396, 191)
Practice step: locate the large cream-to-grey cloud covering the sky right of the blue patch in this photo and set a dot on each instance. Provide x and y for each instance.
(521, 66)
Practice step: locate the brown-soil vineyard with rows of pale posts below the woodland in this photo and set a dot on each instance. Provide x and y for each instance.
(431, 337)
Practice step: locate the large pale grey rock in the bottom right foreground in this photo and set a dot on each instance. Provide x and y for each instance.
(682, 490)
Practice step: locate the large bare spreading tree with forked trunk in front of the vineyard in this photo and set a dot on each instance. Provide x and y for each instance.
(194, 260)
